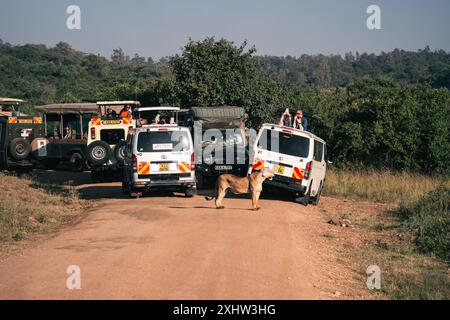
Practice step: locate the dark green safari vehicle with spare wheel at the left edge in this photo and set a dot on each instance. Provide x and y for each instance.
(20, 137)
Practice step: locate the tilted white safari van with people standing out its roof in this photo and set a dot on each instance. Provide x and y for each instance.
(298, 159)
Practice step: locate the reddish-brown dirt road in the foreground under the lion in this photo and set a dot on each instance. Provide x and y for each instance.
(169, 247)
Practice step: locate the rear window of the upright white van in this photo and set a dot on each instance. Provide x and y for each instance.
(160, 141)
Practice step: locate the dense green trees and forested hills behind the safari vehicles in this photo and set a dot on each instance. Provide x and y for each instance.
(383, 111)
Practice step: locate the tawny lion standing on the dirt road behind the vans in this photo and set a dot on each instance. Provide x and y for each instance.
(251, 183)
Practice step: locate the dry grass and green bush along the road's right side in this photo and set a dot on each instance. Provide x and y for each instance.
(410, 243)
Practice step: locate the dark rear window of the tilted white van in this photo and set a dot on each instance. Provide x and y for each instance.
(284, 143)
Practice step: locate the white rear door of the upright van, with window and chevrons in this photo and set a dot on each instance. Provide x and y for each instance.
(163, 151)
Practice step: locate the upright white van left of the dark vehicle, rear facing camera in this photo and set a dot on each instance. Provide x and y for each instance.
(159, 156)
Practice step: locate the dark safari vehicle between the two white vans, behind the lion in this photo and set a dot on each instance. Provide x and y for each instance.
(218, 132)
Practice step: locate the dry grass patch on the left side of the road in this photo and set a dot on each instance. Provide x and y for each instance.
(29, 207)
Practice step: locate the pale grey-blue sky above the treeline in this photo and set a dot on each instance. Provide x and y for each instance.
(157, 28)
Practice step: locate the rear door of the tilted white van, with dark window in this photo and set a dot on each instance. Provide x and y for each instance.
(282, 151)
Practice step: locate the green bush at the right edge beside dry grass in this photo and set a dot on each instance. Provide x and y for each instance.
(428, 218)
